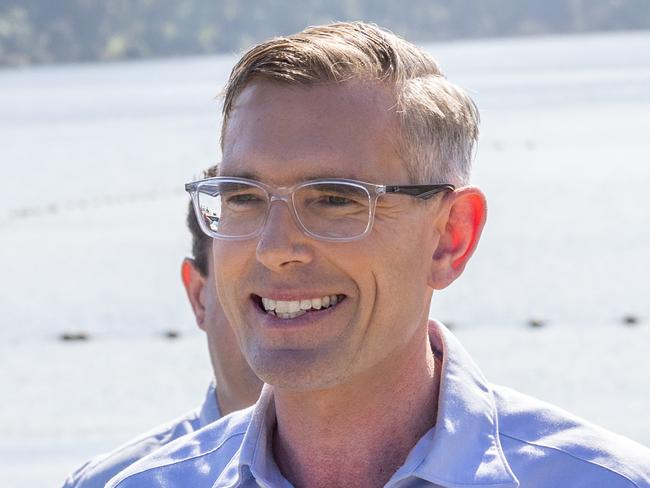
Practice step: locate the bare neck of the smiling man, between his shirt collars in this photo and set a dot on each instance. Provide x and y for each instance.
(358, 433)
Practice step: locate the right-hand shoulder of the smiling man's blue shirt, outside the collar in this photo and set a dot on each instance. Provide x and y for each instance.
(544, 442)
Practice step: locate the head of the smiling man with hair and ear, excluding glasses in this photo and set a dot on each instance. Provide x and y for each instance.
(344, 101)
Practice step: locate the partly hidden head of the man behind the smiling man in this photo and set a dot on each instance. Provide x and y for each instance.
(235, 380)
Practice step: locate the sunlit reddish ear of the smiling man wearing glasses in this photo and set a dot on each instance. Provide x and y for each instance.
(461, 222)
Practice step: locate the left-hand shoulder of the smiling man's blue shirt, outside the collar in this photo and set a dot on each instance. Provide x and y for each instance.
(193, 460)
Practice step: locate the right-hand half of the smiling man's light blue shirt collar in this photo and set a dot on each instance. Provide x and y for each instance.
(463, 448)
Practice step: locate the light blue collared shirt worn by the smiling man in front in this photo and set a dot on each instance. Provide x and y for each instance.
(485, 436)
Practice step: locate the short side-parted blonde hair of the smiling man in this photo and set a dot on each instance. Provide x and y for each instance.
(438, 120)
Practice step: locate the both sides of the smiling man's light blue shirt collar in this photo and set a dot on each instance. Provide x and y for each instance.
(463, 447)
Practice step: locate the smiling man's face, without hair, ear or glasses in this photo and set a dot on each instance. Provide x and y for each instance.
(282, 135)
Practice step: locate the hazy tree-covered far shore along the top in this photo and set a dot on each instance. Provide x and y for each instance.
(43, 31)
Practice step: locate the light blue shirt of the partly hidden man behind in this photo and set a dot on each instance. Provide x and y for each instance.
(96, 472)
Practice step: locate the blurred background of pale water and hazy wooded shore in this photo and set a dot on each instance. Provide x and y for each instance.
(108, 108)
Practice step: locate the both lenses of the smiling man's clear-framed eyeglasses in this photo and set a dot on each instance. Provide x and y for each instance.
(326, 209)
